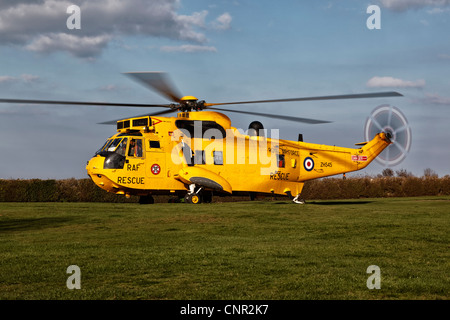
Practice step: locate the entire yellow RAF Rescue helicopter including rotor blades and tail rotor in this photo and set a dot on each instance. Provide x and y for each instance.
(198, 154)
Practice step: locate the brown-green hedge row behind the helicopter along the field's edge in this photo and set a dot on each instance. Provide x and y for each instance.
(84, 190)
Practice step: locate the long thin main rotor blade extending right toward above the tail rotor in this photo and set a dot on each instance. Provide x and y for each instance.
(345, 96)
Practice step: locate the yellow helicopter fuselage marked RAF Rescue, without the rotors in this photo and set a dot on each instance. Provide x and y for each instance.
(173, 155)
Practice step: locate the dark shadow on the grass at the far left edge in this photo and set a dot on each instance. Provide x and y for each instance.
(11, 225)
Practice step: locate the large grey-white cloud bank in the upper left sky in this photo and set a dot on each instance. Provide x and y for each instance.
(40, 25)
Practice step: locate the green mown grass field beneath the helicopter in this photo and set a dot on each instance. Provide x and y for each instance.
(245, 250)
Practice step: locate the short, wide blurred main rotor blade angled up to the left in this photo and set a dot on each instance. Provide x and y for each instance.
(158, 81)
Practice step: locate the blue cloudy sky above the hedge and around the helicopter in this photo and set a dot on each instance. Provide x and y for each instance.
(220, 51)
